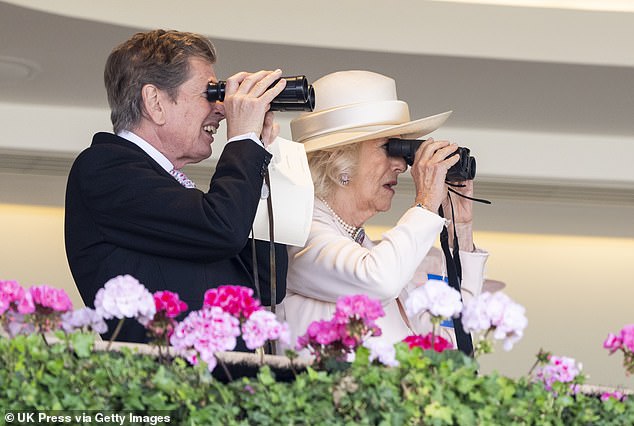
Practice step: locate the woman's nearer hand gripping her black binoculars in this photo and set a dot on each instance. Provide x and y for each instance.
(429, 171)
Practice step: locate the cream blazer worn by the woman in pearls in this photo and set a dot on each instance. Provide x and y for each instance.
(332, 265)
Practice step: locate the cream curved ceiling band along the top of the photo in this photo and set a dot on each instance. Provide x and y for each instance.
(413, 26)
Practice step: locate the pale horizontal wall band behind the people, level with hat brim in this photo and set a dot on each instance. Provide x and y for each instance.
(606, 161)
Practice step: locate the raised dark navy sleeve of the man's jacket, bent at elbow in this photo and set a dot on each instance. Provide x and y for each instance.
(137, 205)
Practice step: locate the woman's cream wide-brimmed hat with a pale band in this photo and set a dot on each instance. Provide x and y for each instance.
(355, 106)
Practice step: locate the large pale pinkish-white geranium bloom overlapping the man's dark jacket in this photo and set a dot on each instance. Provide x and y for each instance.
(124, 297)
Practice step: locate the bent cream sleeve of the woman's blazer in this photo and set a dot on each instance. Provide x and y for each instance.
(332, 265)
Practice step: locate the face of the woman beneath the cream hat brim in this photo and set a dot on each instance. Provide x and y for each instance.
(372, 186)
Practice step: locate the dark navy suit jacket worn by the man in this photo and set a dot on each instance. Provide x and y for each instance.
(126, 215)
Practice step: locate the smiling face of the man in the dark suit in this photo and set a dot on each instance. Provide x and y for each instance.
(191, 120)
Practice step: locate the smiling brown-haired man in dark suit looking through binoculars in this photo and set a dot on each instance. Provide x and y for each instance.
(128, 208)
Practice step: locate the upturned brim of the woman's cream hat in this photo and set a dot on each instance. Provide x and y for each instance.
(412, 129)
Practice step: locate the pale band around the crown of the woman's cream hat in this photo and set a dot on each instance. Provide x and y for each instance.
(356, 117)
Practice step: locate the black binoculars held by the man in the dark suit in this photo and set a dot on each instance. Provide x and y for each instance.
(298, 95)
